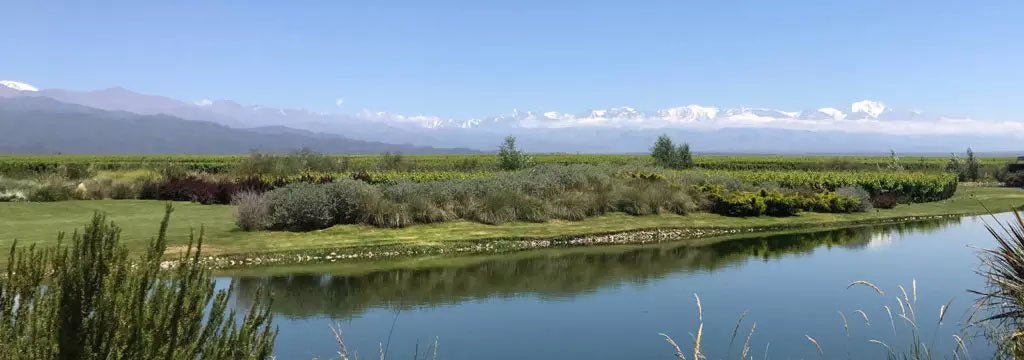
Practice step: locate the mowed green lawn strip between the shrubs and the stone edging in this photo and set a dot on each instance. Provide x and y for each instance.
(40, 223)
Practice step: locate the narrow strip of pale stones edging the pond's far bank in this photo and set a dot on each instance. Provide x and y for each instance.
(505, 245)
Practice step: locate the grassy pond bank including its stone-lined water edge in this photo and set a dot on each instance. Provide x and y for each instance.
(227, 248)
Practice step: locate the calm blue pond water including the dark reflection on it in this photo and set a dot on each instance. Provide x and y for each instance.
(611, 303)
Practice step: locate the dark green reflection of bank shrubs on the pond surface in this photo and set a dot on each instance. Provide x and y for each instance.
(546, 277)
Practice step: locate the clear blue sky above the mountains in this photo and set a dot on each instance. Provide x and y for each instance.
(466, 59)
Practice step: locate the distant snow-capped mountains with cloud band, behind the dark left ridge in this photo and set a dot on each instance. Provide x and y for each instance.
(830, 128)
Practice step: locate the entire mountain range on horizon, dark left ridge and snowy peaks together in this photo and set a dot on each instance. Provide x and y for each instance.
(862, 127)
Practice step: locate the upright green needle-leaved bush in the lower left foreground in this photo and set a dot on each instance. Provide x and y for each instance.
(90, 300)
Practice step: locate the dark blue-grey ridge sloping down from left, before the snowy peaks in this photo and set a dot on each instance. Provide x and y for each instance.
(42, 125)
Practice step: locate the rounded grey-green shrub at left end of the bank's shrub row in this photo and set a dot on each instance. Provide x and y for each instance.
(300, 207)
